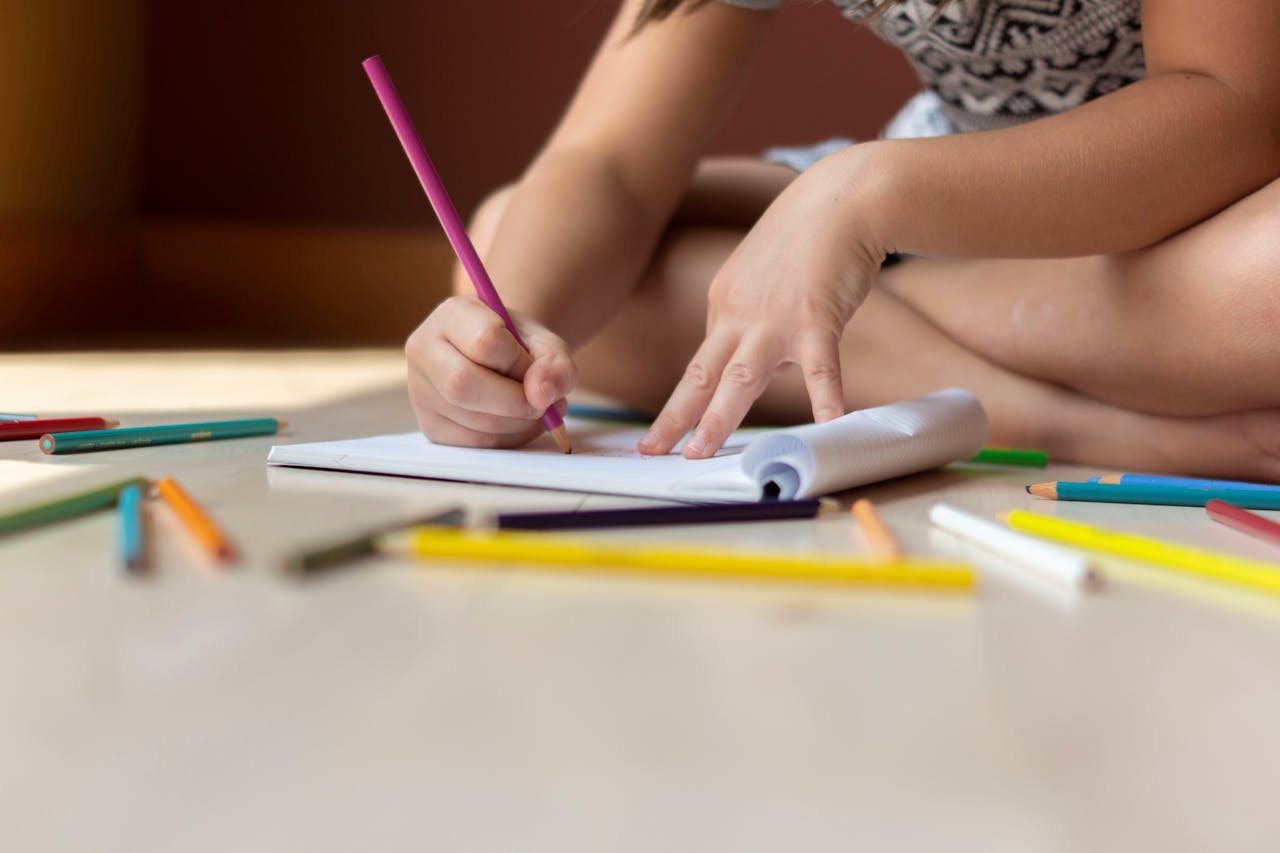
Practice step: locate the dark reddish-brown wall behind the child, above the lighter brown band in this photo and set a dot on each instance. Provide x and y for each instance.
(260, 111)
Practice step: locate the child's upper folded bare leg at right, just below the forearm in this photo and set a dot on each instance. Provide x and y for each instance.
(1187, 327)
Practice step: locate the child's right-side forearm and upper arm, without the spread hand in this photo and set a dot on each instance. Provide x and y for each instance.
(1118, 174)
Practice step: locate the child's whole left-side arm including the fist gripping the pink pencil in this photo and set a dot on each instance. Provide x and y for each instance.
(580, 226)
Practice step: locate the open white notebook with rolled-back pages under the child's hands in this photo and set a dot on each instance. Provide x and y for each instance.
(862, 448)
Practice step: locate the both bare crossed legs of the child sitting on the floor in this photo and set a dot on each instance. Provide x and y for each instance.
(1013, 332)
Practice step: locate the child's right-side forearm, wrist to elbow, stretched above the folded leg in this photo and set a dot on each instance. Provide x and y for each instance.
(1119, 174)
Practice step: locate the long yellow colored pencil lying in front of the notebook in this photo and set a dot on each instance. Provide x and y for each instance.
(554, 551)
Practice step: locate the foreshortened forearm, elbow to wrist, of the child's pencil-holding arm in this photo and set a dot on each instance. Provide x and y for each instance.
(572, 244)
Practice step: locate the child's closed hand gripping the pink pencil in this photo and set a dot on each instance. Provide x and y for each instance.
(472, 385)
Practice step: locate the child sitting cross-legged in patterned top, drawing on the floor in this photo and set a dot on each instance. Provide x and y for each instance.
(1094, 243)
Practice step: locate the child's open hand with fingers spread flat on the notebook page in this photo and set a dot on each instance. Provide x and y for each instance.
(784, 297)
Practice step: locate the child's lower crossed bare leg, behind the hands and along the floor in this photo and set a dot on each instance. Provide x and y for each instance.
(890, 352)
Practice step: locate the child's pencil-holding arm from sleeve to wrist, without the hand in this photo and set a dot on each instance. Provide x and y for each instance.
(583, 222)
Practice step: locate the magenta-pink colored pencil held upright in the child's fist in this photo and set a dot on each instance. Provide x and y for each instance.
(449, 217)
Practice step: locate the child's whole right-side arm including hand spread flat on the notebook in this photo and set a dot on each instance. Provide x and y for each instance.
(1119, 174)
